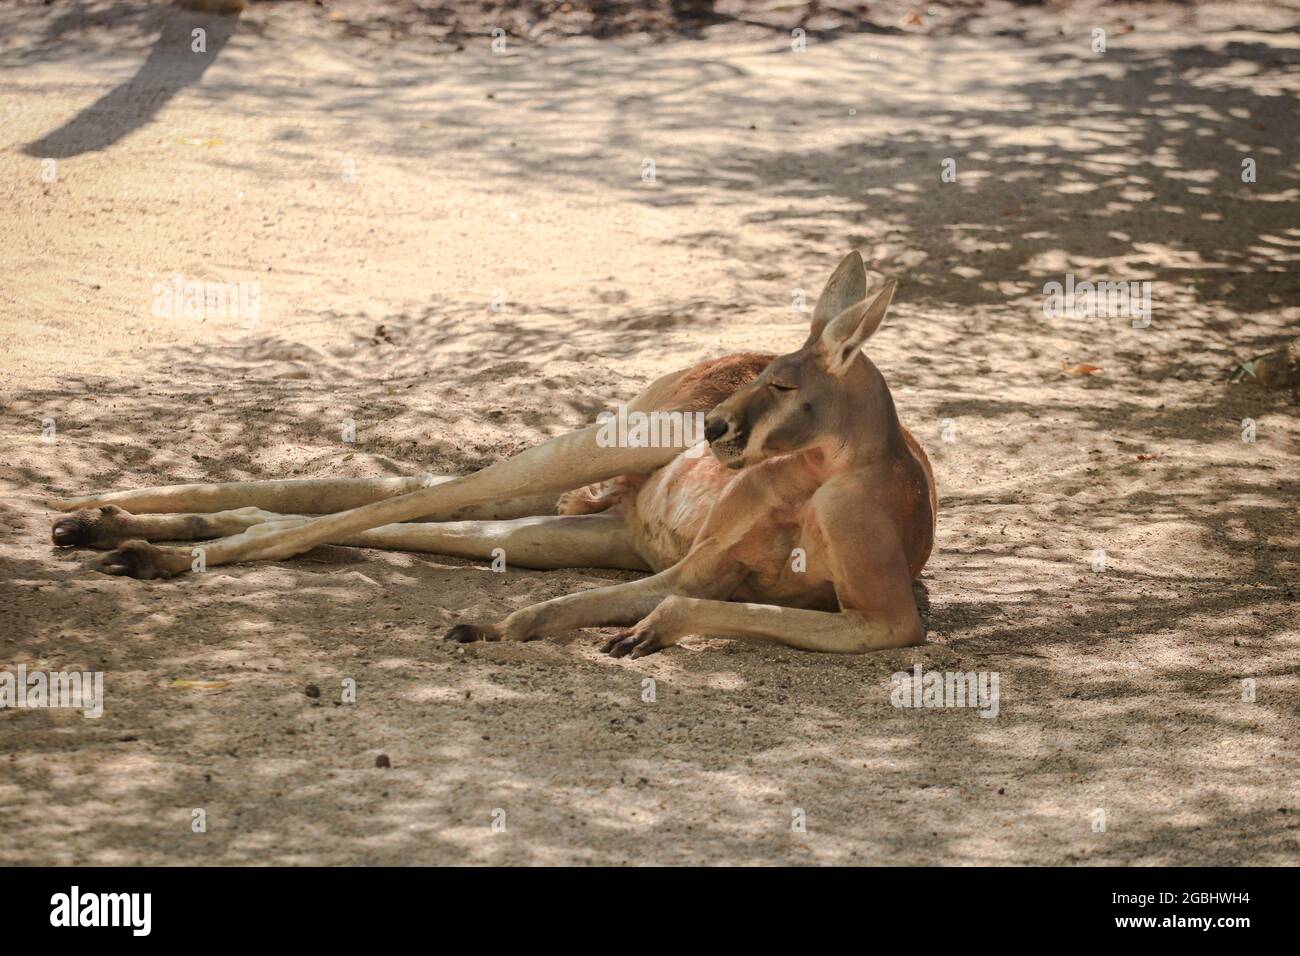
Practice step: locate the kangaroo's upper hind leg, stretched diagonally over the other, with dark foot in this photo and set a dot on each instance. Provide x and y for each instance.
(557, 466)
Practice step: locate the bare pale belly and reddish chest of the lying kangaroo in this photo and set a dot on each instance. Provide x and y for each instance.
(778, 540)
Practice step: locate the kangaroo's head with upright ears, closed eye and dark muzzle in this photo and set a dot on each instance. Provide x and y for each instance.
(809, 397)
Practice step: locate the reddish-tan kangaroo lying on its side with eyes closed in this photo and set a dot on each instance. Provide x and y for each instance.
(805, 525)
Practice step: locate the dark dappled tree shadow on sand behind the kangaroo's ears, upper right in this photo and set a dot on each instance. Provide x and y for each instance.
(1110, 142)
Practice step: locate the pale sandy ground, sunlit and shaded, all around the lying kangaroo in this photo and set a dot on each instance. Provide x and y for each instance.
(518, 179)
